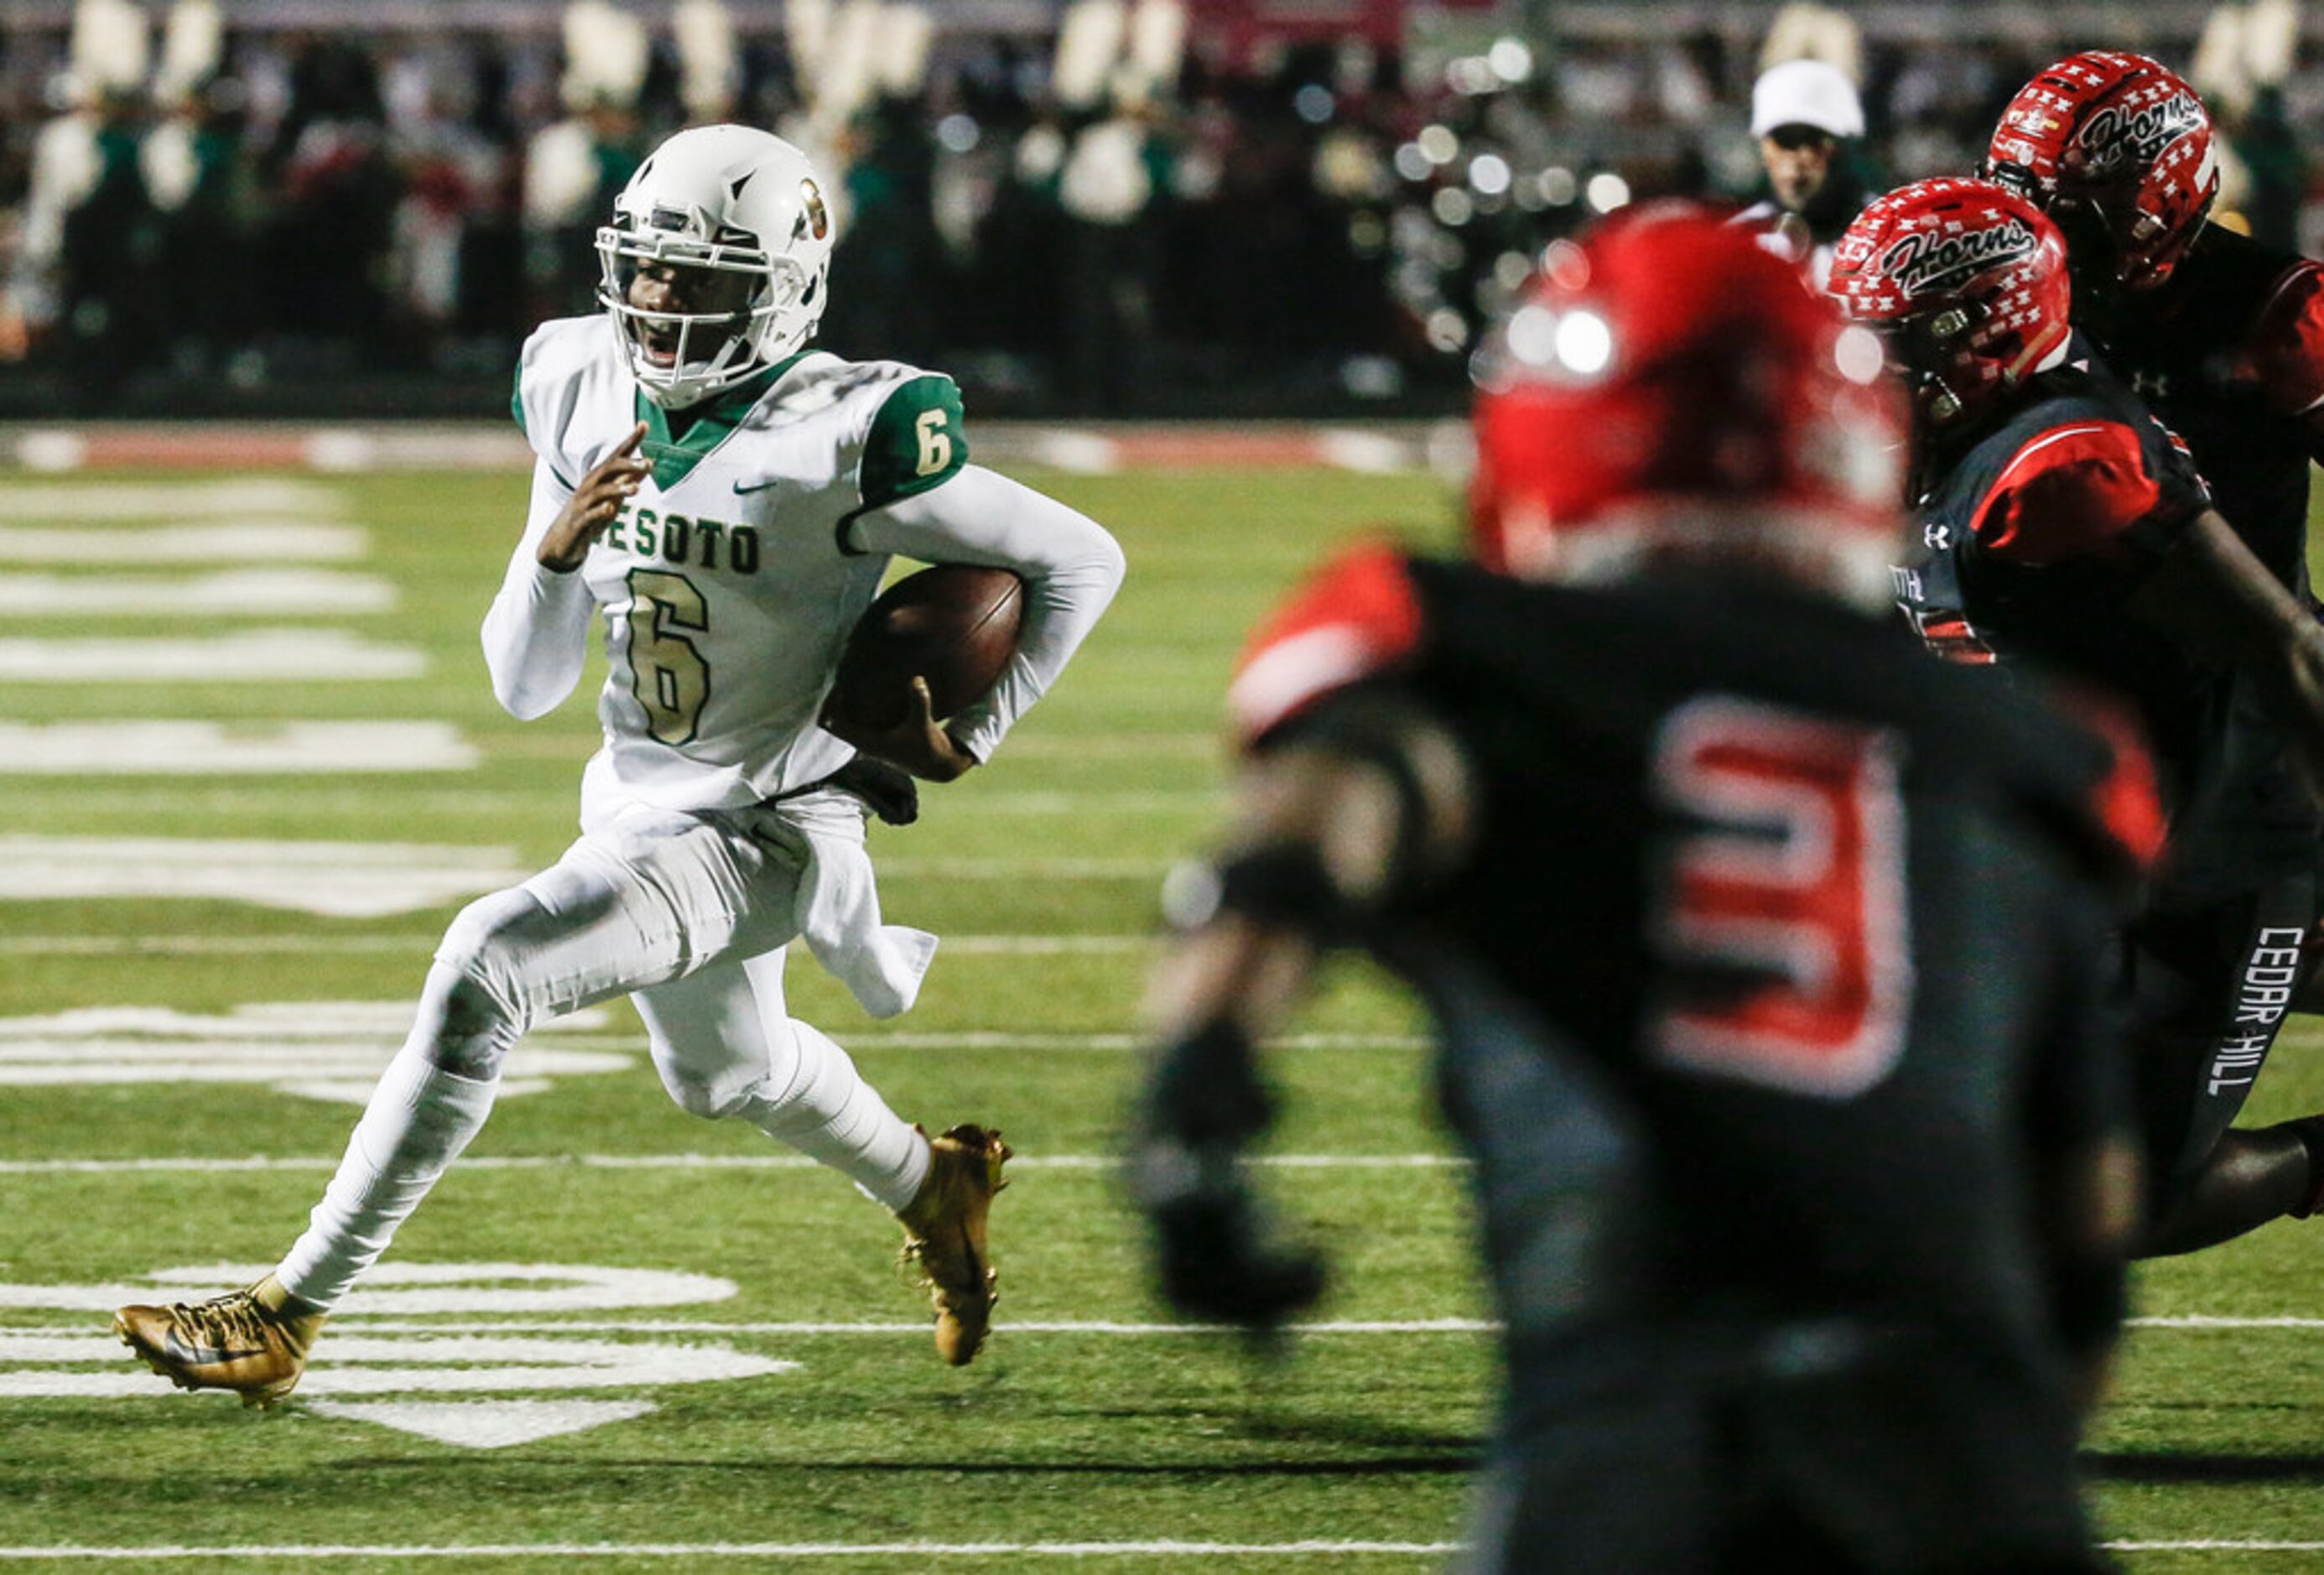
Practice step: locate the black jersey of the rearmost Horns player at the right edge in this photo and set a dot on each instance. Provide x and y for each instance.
(2230, 357)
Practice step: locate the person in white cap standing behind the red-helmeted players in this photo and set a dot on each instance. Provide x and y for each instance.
(1805, 113)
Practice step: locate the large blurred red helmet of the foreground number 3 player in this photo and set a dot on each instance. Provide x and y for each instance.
(1670, 384)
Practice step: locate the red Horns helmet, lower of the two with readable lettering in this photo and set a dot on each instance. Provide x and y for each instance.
(1965, 280)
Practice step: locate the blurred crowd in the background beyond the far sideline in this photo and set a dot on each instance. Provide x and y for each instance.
(1107, 217)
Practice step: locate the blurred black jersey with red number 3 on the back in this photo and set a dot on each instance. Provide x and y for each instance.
(1816, 916)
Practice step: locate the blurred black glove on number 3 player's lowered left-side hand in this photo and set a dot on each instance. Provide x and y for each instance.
(1217, 1249)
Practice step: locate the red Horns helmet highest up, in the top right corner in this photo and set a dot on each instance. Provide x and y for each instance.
(2118, 152)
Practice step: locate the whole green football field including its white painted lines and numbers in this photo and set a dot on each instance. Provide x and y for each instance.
(252, 768)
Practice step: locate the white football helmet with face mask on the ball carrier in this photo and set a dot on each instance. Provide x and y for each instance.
(724, 199)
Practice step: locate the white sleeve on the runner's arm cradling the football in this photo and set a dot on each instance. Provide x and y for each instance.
(1068, 561)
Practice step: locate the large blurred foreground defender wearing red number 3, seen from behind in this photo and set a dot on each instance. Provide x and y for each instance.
(1763, 956)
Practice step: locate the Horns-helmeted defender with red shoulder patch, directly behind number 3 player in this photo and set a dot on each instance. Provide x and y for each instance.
(2067, 526)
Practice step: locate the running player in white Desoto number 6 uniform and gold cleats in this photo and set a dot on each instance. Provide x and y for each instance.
(729, 501)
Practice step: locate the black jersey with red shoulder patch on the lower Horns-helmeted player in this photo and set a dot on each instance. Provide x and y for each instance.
(2035, 542)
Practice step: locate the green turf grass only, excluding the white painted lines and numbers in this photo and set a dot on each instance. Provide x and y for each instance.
(1075, 1437)
